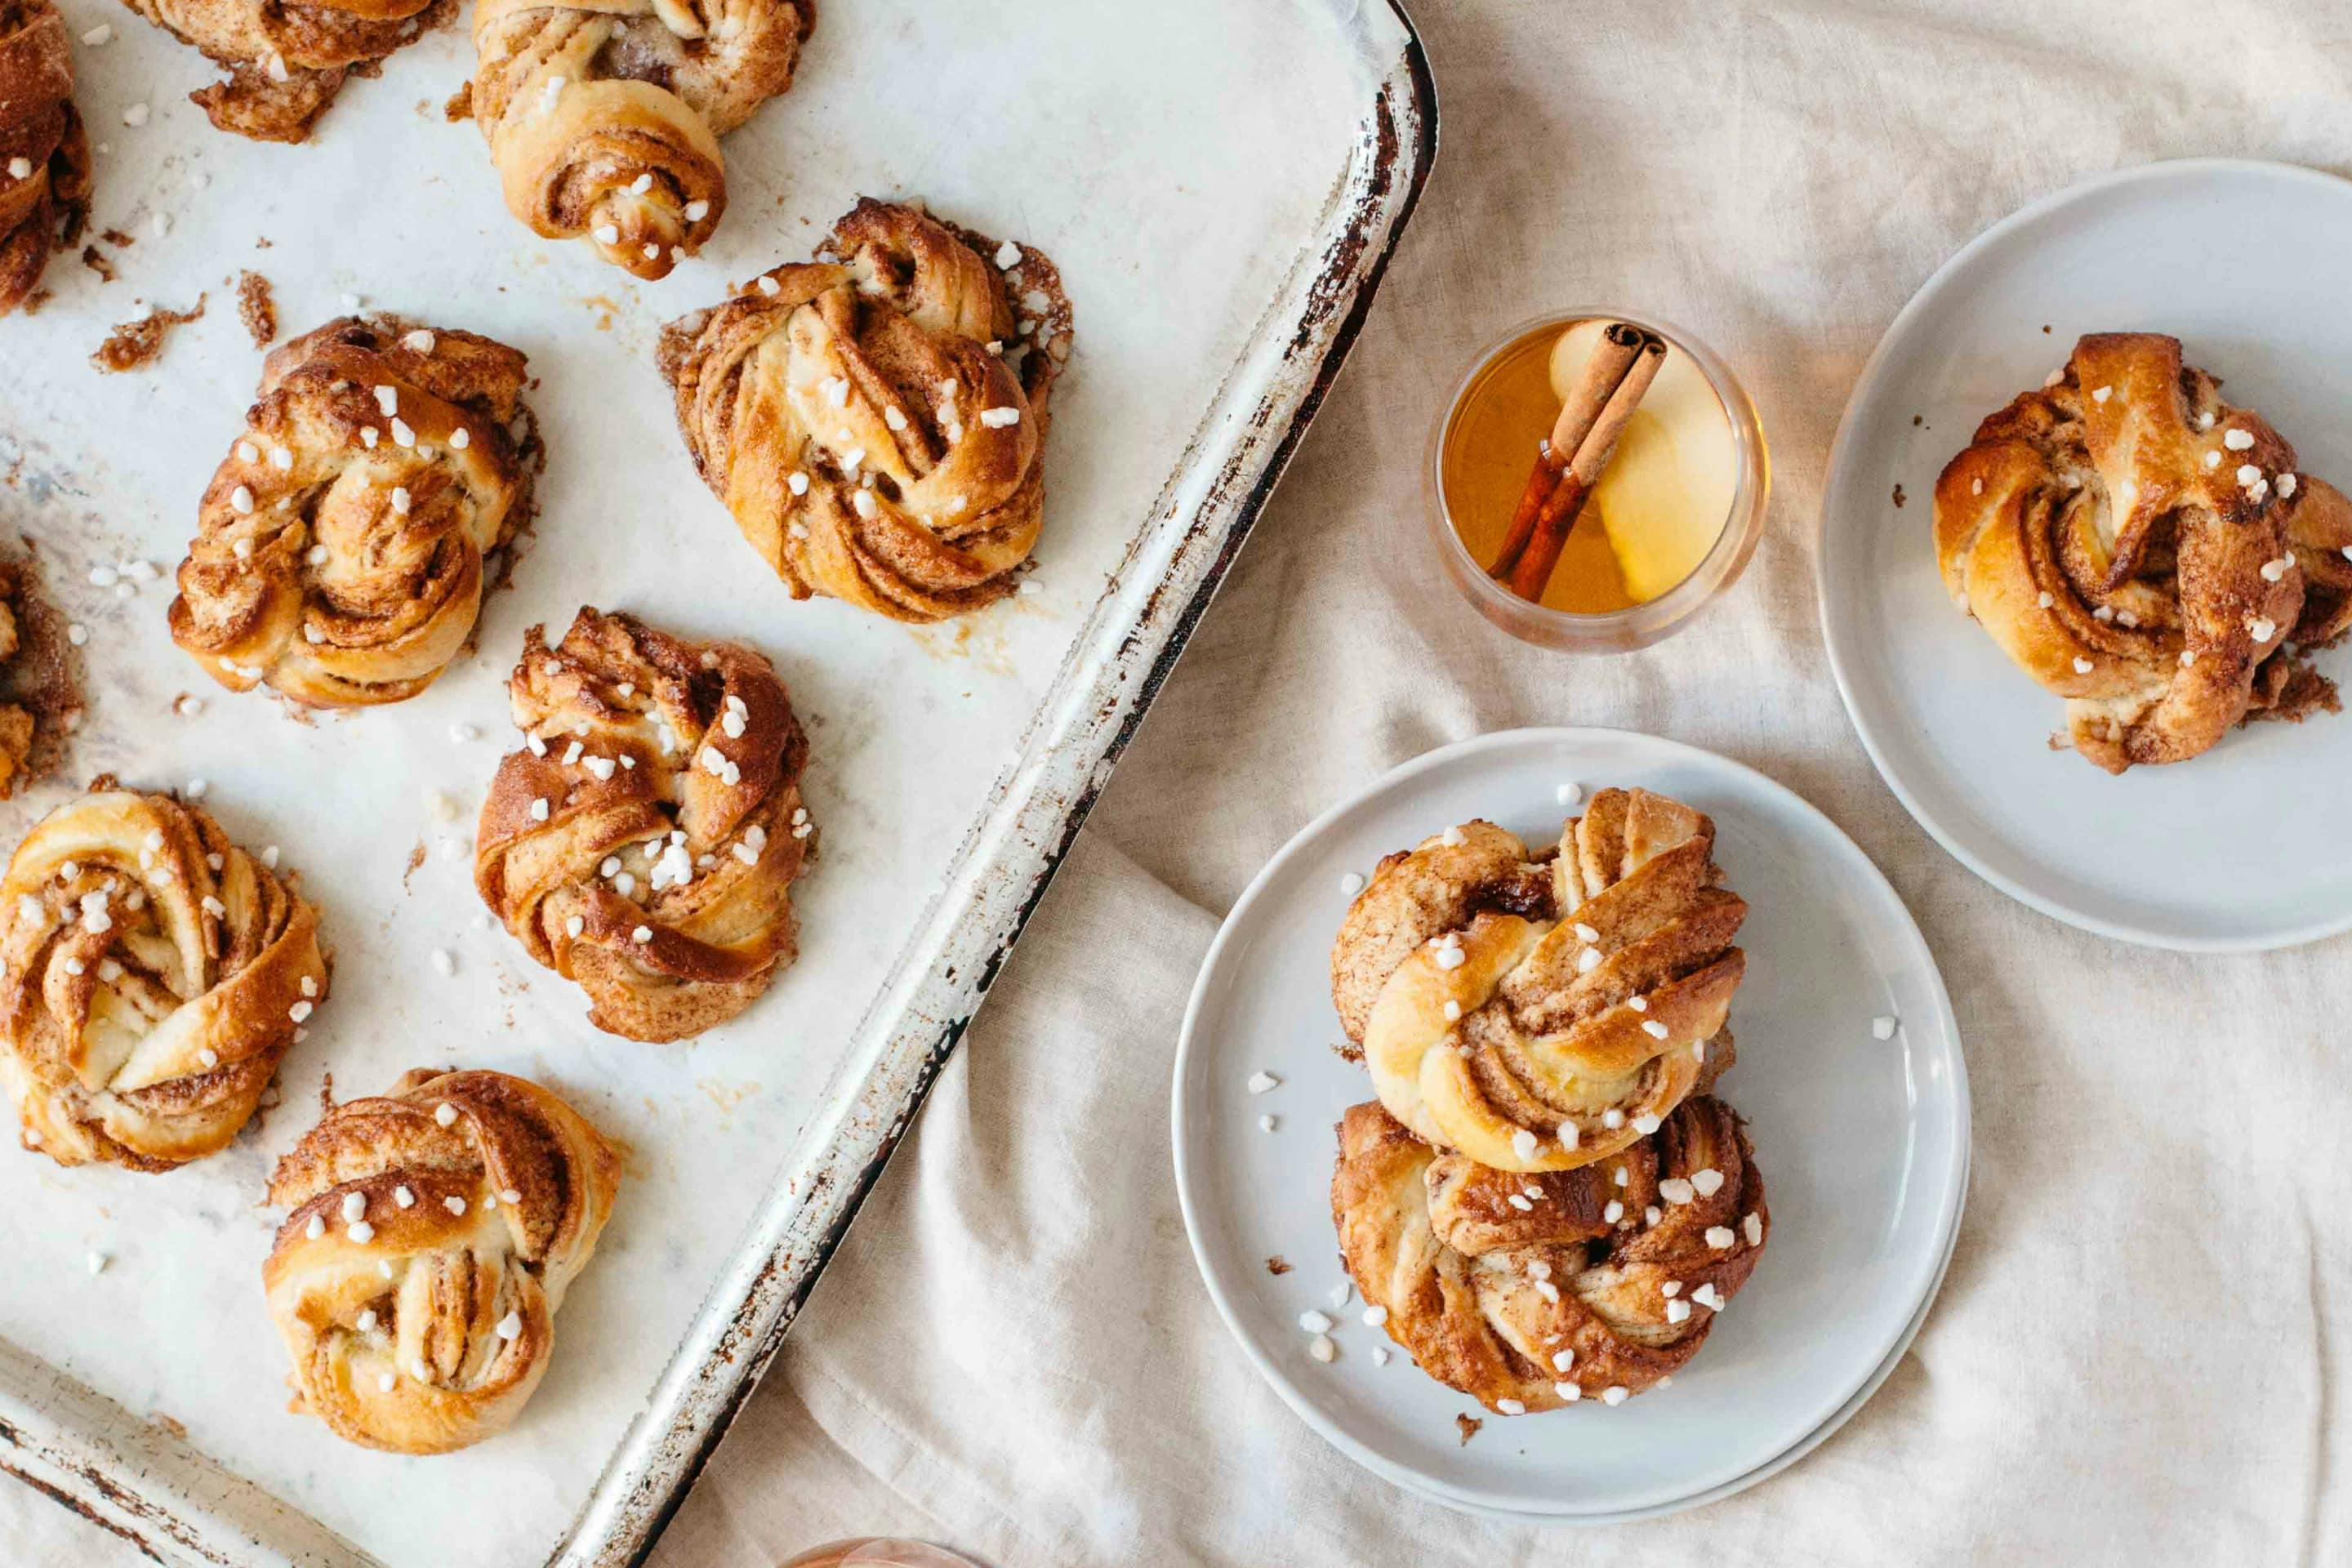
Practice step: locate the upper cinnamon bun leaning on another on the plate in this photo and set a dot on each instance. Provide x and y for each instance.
(1544, 1014)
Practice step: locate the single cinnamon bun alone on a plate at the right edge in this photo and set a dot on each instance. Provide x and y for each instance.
(2146, 551)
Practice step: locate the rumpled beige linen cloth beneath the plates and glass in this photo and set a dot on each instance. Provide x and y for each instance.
(2137, 1355)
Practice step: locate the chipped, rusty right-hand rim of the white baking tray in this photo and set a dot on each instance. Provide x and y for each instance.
(1172, 577)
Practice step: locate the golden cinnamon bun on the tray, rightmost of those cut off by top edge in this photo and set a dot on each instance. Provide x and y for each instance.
(606, 116)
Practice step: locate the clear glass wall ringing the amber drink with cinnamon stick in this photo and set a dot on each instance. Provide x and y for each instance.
(1643, 624)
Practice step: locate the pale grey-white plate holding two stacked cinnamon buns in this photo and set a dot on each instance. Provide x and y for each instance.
(1864, 1144)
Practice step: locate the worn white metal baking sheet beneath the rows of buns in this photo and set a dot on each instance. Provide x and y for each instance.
(1220, 185)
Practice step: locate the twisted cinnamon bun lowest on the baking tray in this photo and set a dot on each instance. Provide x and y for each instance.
(432, 1242)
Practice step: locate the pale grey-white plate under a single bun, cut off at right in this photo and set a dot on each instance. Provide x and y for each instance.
(2245, 264)
